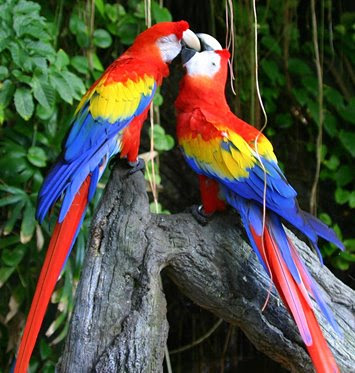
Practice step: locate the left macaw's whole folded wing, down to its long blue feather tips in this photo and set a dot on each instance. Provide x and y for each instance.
(107, 108)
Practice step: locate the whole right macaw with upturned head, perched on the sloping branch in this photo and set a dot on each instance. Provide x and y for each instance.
(235, 162)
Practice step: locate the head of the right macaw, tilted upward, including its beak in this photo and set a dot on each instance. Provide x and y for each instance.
(210, 64)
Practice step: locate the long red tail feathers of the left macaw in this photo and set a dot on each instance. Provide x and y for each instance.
(59, 246)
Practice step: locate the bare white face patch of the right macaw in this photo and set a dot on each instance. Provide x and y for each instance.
(205, 63)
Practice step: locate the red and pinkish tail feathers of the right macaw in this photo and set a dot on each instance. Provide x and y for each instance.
(293, 296)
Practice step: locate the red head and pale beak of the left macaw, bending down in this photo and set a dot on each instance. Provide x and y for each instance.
(163, 41)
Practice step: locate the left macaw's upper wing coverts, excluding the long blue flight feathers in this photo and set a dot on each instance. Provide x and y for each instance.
(107, 108)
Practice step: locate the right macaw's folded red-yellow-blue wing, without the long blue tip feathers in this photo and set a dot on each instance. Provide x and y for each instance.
(214, 150)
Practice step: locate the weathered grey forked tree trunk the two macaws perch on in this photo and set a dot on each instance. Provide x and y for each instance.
(119, 322)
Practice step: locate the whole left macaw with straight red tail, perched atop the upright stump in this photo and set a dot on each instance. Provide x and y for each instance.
(107, 121)
